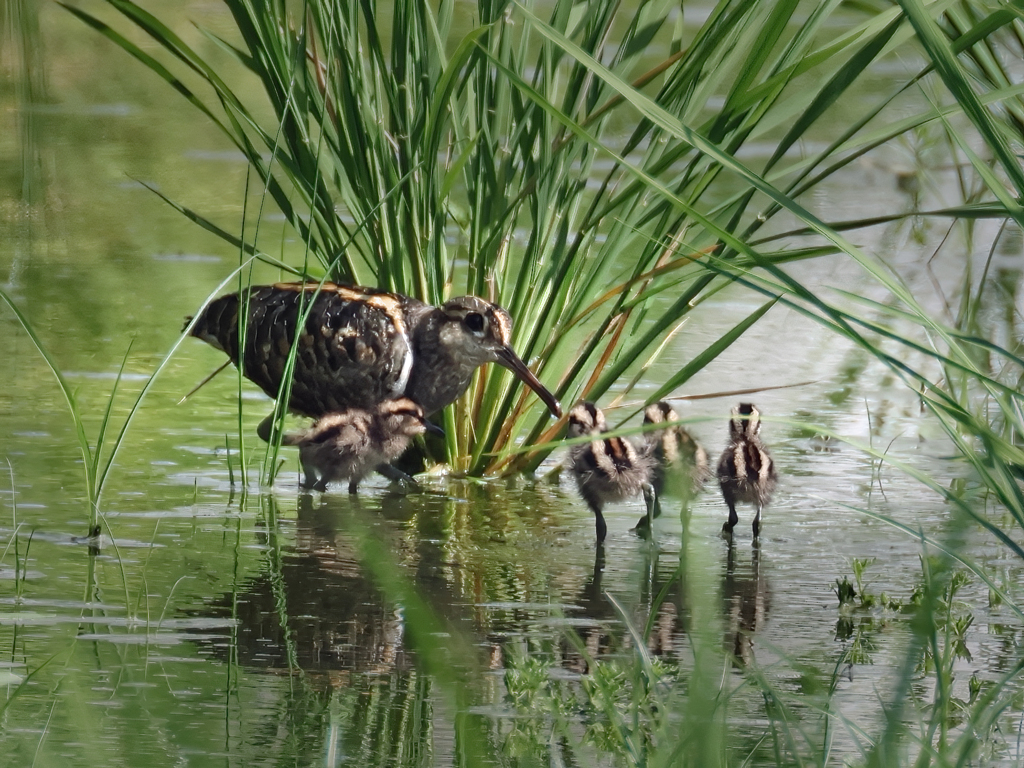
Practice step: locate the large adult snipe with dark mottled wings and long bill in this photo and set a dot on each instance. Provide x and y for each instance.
(359, 348)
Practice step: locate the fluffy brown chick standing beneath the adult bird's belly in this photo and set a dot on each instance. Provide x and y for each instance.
(350, 445)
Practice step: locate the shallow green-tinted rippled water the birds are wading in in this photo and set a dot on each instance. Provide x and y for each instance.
(273, 627)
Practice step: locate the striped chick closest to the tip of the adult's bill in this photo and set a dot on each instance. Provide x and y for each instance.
(607, 470)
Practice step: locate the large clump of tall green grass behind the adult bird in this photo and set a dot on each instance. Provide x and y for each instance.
(581, 169)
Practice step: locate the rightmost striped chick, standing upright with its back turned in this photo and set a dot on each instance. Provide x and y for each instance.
(746, 472)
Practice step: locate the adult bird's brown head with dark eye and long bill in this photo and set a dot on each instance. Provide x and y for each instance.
(479, 332)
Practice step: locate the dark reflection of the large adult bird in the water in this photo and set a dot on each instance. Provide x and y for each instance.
(313, 607)
